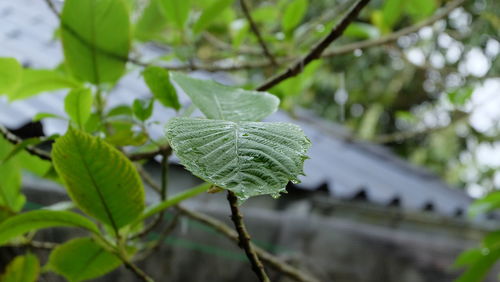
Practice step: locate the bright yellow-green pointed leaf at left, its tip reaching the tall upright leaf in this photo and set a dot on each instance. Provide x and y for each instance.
(37, 81)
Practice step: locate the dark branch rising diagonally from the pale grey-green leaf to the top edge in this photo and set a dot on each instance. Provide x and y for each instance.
(316, 52)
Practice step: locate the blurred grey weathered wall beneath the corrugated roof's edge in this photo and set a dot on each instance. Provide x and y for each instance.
(335, 246)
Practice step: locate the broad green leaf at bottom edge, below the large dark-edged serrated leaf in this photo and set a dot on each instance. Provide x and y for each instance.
(82, 259)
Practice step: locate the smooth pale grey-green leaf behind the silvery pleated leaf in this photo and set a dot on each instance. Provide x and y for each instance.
(223, 102)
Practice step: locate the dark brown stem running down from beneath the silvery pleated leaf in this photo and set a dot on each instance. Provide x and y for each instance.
(244, 238)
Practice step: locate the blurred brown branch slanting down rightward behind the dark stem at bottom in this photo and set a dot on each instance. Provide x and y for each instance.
(228, 232)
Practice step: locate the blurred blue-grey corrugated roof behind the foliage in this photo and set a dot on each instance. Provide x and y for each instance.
(347, 168)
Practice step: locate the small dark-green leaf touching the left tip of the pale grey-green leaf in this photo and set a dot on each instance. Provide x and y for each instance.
(158, 81)
